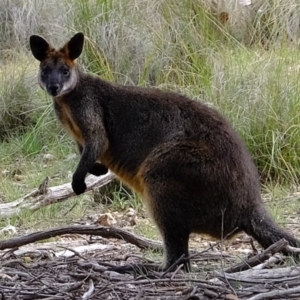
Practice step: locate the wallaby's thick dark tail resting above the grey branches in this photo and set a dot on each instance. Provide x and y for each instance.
(265, 231)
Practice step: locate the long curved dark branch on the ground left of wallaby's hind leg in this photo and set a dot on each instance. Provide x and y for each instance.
(106, 232)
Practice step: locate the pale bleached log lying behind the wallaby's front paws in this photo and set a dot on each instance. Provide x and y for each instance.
(45, 196)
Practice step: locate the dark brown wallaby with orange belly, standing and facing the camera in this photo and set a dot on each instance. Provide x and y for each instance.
(184, 159)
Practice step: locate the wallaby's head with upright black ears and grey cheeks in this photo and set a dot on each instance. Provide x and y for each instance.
(58, 74)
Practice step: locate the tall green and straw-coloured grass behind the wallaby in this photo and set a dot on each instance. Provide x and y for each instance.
(247, 67)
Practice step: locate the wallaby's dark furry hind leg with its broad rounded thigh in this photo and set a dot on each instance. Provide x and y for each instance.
(175, 176)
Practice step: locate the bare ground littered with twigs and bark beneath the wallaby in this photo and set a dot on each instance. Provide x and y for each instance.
(78, 267)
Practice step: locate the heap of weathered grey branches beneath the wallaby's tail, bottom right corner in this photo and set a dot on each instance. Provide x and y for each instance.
(253, 278)
